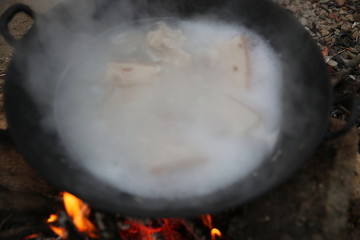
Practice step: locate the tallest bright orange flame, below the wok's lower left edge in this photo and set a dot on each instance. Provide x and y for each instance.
(79, 212)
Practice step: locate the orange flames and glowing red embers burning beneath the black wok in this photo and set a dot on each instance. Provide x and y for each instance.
(166, 228)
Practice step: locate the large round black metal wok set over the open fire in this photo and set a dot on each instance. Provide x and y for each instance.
(302, 64)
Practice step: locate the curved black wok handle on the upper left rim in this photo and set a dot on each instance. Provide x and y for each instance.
(8, 16)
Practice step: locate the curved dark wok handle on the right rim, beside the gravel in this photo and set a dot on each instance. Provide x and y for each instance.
(353, 102)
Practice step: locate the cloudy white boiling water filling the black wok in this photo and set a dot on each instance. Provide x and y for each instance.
(188, 131)
